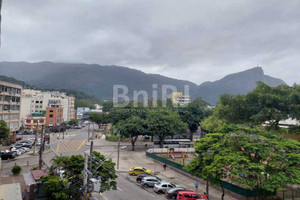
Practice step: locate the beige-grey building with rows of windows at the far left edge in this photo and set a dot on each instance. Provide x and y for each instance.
(10, 102)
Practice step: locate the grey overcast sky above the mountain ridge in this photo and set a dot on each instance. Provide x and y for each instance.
(196, 40)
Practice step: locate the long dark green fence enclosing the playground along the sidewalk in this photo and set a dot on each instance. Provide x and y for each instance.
(231, 187)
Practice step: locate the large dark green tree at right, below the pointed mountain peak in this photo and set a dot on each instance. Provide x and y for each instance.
(263, 104)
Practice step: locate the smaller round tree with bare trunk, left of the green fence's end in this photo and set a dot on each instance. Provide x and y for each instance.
(132, 128)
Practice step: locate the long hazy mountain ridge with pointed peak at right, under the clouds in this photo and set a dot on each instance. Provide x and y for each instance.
(99, 80)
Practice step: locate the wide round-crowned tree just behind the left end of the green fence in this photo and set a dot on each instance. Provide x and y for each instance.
(162, 124)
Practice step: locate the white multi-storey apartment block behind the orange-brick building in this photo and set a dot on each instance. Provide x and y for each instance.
(37, 101)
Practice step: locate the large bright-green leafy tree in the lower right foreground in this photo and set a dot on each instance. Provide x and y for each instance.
(256, 160)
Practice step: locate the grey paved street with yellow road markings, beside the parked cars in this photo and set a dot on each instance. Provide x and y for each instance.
(75, 142)
